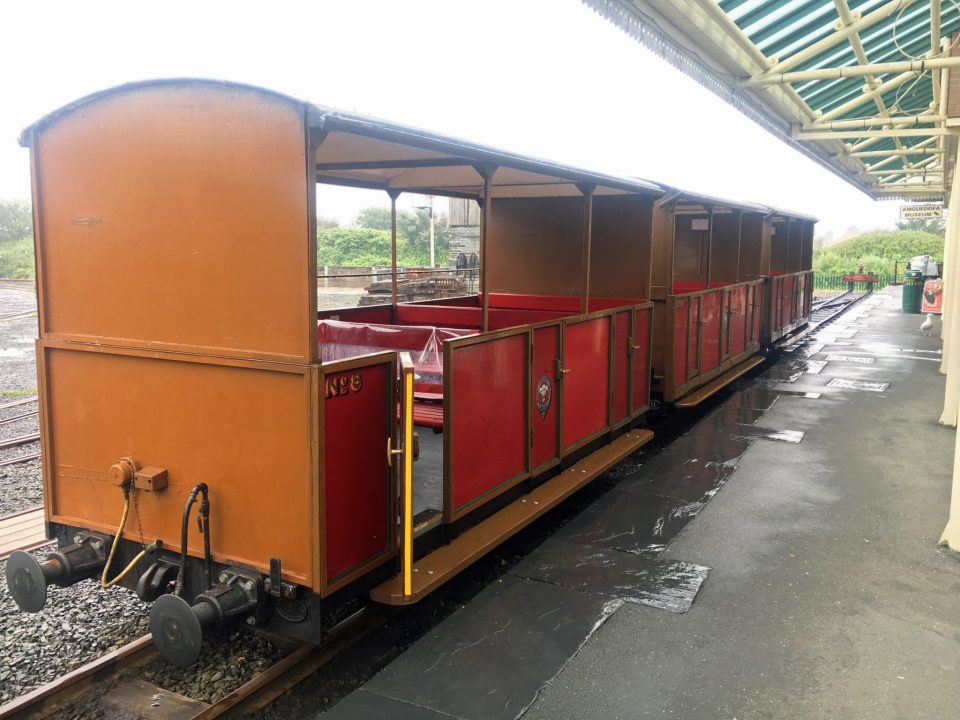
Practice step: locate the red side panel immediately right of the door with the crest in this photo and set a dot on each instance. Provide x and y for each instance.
(586, 379)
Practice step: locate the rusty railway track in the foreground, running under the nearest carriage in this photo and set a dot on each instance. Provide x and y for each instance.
(112, 682)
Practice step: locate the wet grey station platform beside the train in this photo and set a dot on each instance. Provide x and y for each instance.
(779, 560)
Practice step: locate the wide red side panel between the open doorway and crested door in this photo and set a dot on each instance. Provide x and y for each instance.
(487, 418)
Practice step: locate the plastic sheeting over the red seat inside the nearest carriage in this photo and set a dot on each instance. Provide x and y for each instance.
(339, 340)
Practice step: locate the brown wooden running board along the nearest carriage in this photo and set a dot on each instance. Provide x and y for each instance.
(433, 570)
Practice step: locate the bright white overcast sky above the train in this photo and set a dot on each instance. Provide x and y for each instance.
(539, 77)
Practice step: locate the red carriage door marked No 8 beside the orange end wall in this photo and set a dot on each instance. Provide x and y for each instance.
(357, 430)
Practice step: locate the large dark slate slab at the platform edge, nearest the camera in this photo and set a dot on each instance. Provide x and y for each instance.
(489, 660)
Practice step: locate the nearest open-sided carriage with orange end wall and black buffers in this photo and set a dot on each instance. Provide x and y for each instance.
(185, 371)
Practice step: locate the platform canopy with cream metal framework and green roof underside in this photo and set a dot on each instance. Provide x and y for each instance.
(854, 84)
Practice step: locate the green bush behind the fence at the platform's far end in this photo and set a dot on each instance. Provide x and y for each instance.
(876, 251)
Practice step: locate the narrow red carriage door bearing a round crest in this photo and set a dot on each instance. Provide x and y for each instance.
(546, 355)
